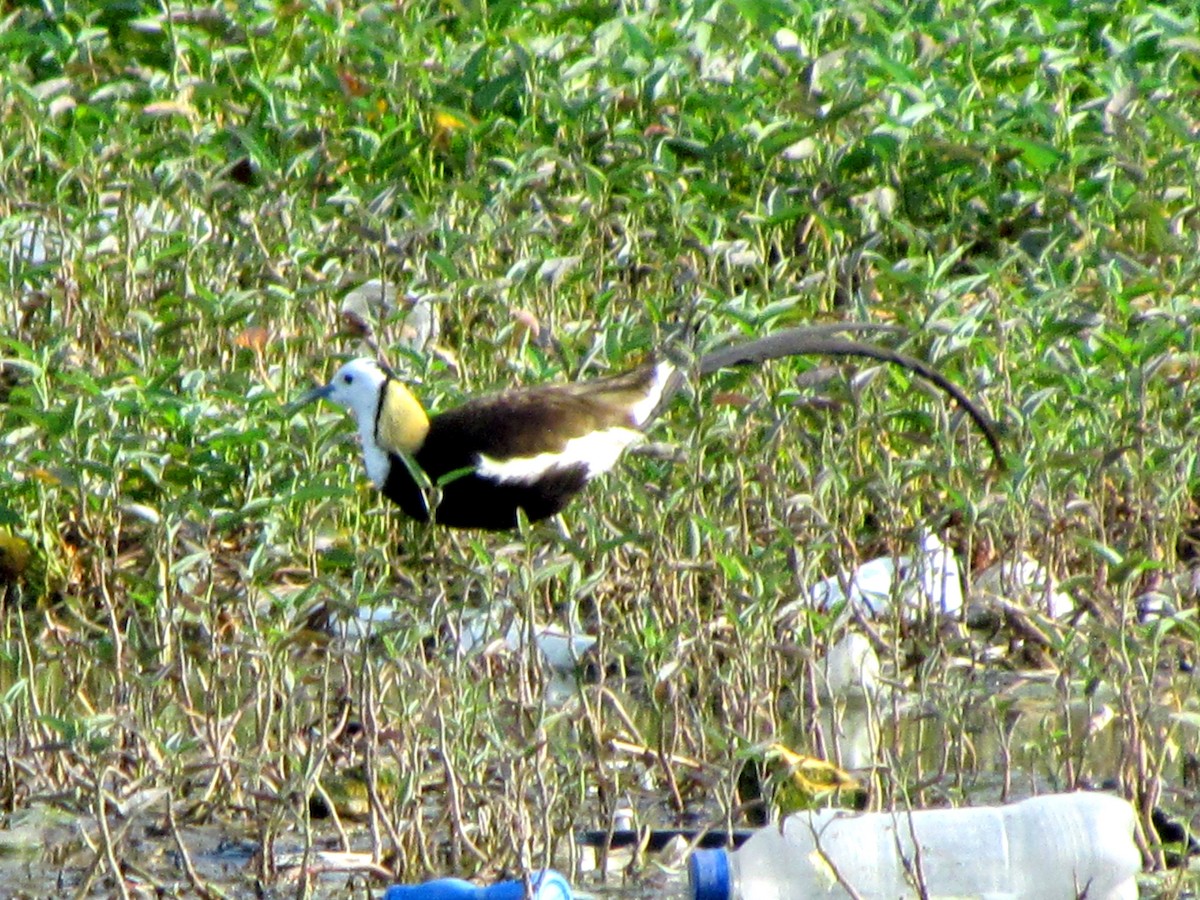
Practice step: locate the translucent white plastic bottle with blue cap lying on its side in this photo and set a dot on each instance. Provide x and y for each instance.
(1051, 848)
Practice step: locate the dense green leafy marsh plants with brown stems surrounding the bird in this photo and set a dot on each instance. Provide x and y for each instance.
(188, 193)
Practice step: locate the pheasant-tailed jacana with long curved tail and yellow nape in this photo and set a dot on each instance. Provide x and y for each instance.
(533, 449)
